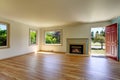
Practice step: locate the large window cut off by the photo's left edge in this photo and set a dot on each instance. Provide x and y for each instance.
(4, 35)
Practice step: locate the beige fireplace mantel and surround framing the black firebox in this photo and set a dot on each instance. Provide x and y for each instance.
(78, 41)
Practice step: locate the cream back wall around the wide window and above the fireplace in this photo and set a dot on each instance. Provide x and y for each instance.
(70, 31)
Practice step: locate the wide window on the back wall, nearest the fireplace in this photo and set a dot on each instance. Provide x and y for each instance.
(53, 37)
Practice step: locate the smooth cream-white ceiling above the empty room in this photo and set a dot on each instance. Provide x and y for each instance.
(45, 13)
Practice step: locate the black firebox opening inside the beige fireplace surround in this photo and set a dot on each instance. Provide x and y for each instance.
(76, 49)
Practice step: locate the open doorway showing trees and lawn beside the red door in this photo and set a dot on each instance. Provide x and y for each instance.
(98, 41)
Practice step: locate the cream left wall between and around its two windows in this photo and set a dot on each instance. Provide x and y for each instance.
(19, 40)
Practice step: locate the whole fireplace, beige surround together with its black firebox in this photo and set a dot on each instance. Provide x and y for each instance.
(79, 45)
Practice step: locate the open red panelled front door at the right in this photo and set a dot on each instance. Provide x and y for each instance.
(111, 41)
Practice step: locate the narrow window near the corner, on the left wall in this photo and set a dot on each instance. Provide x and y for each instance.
(33, 37)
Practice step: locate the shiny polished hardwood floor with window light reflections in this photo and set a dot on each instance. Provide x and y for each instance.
(52, 66)
